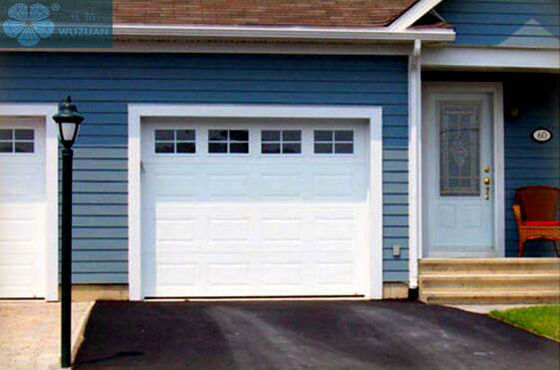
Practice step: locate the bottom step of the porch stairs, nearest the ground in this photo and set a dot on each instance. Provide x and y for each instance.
(494, 297)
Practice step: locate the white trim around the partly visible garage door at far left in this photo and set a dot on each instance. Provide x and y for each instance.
(50, 254)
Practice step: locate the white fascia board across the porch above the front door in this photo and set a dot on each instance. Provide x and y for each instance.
(476, 58)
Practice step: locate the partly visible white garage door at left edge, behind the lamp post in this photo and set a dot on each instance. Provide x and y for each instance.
(22, 208)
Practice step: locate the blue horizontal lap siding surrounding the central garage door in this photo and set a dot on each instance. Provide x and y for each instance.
(103, 84)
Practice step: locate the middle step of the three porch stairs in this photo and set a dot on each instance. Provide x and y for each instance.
(493, 282)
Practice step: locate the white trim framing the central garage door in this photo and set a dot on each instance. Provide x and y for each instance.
(375, 192)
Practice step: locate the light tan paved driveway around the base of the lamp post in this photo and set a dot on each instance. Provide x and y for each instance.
(30, 333)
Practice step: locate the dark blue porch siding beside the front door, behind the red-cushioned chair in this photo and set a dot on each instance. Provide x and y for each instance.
(537, 97)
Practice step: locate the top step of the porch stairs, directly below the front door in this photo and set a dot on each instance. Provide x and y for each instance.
(489, 265)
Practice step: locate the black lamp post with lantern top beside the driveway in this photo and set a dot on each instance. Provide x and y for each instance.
(69, 122)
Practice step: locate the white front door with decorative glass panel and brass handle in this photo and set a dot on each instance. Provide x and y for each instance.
(459, 181)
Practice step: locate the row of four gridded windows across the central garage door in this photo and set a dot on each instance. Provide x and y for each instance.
(225, 141)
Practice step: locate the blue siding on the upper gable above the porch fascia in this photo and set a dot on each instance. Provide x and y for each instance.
(525, 23)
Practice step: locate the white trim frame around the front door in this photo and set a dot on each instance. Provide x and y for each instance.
(496, 89)
